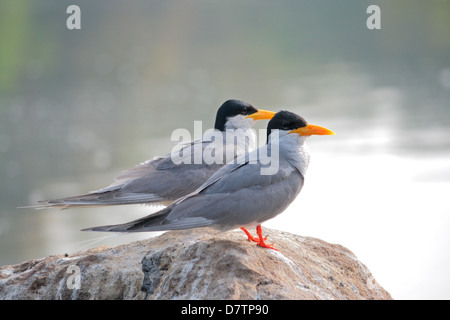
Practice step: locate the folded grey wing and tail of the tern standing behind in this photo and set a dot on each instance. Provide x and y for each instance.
(154, 181)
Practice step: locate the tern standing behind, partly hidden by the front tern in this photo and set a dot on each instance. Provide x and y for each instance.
(162, 180)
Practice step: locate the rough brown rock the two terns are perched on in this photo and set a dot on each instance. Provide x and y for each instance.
(197, 264)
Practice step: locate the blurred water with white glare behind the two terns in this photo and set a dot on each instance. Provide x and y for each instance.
(79, 106)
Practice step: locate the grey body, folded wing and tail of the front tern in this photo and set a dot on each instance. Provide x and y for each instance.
(237, 195)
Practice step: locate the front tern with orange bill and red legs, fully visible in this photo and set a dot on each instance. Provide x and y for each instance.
(238, 195)
